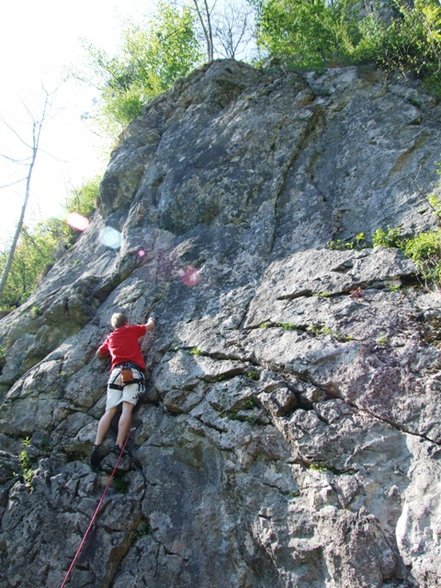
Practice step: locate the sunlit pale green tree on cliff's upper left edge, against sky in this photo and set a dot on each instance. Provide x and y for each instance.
(149, 61)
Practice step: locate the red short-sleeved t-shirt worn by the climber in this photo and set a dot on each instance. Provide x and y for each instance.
(123, 345)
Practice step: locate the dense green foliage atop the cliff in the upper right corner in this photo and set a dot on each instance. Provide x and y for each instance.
(318, 33)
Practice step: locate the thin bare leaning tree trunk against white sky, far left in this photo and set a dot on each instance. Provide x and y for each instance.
(37, 126)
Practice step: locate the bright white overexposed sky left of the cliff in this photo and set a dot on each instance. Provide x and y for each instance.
(40, 41)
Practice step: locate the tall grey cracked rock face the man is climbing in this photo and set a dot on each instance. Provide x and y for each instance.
(295, 436)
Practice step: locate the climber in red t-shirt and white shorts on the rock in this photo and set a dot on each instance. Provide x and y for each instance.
(126, 382)
